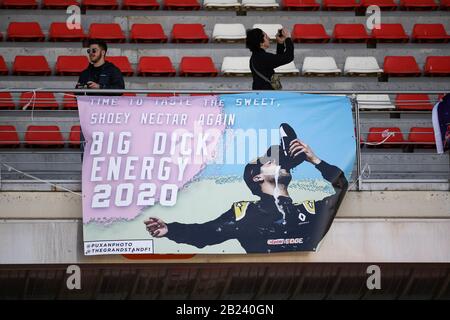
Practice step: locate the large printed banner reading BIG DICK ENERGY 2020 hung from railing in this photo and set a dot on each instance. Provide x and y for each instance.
(242, 173)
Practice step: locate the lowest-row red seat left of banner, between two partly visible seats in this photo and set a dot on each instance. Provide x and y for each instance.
(44, 136)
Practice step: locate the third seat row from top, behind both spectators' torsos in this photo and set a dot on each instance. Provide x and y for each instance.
(162, 66)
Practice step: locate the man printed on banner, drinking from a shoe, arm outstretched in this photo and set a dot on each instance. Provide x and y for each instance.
(274, 223)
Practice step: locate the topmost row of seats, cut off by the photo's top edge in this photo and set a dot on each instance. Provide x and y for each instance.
(229, 4)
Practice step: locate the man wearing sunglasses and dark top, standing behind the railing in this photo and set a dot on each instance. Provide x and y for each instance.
(100, 74)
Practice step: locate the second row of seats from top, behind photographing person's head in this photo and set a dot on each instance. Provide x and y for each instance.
(195, 33)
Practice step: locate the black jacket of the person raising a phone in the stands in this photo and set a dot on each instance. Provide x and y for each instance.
(266, 62)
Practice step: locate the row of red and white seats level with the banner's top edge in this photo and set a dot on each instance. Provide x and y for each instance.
(47, 101)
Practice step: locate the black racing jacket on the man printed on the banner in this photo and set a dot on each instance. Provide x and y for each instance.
(260, 226)
